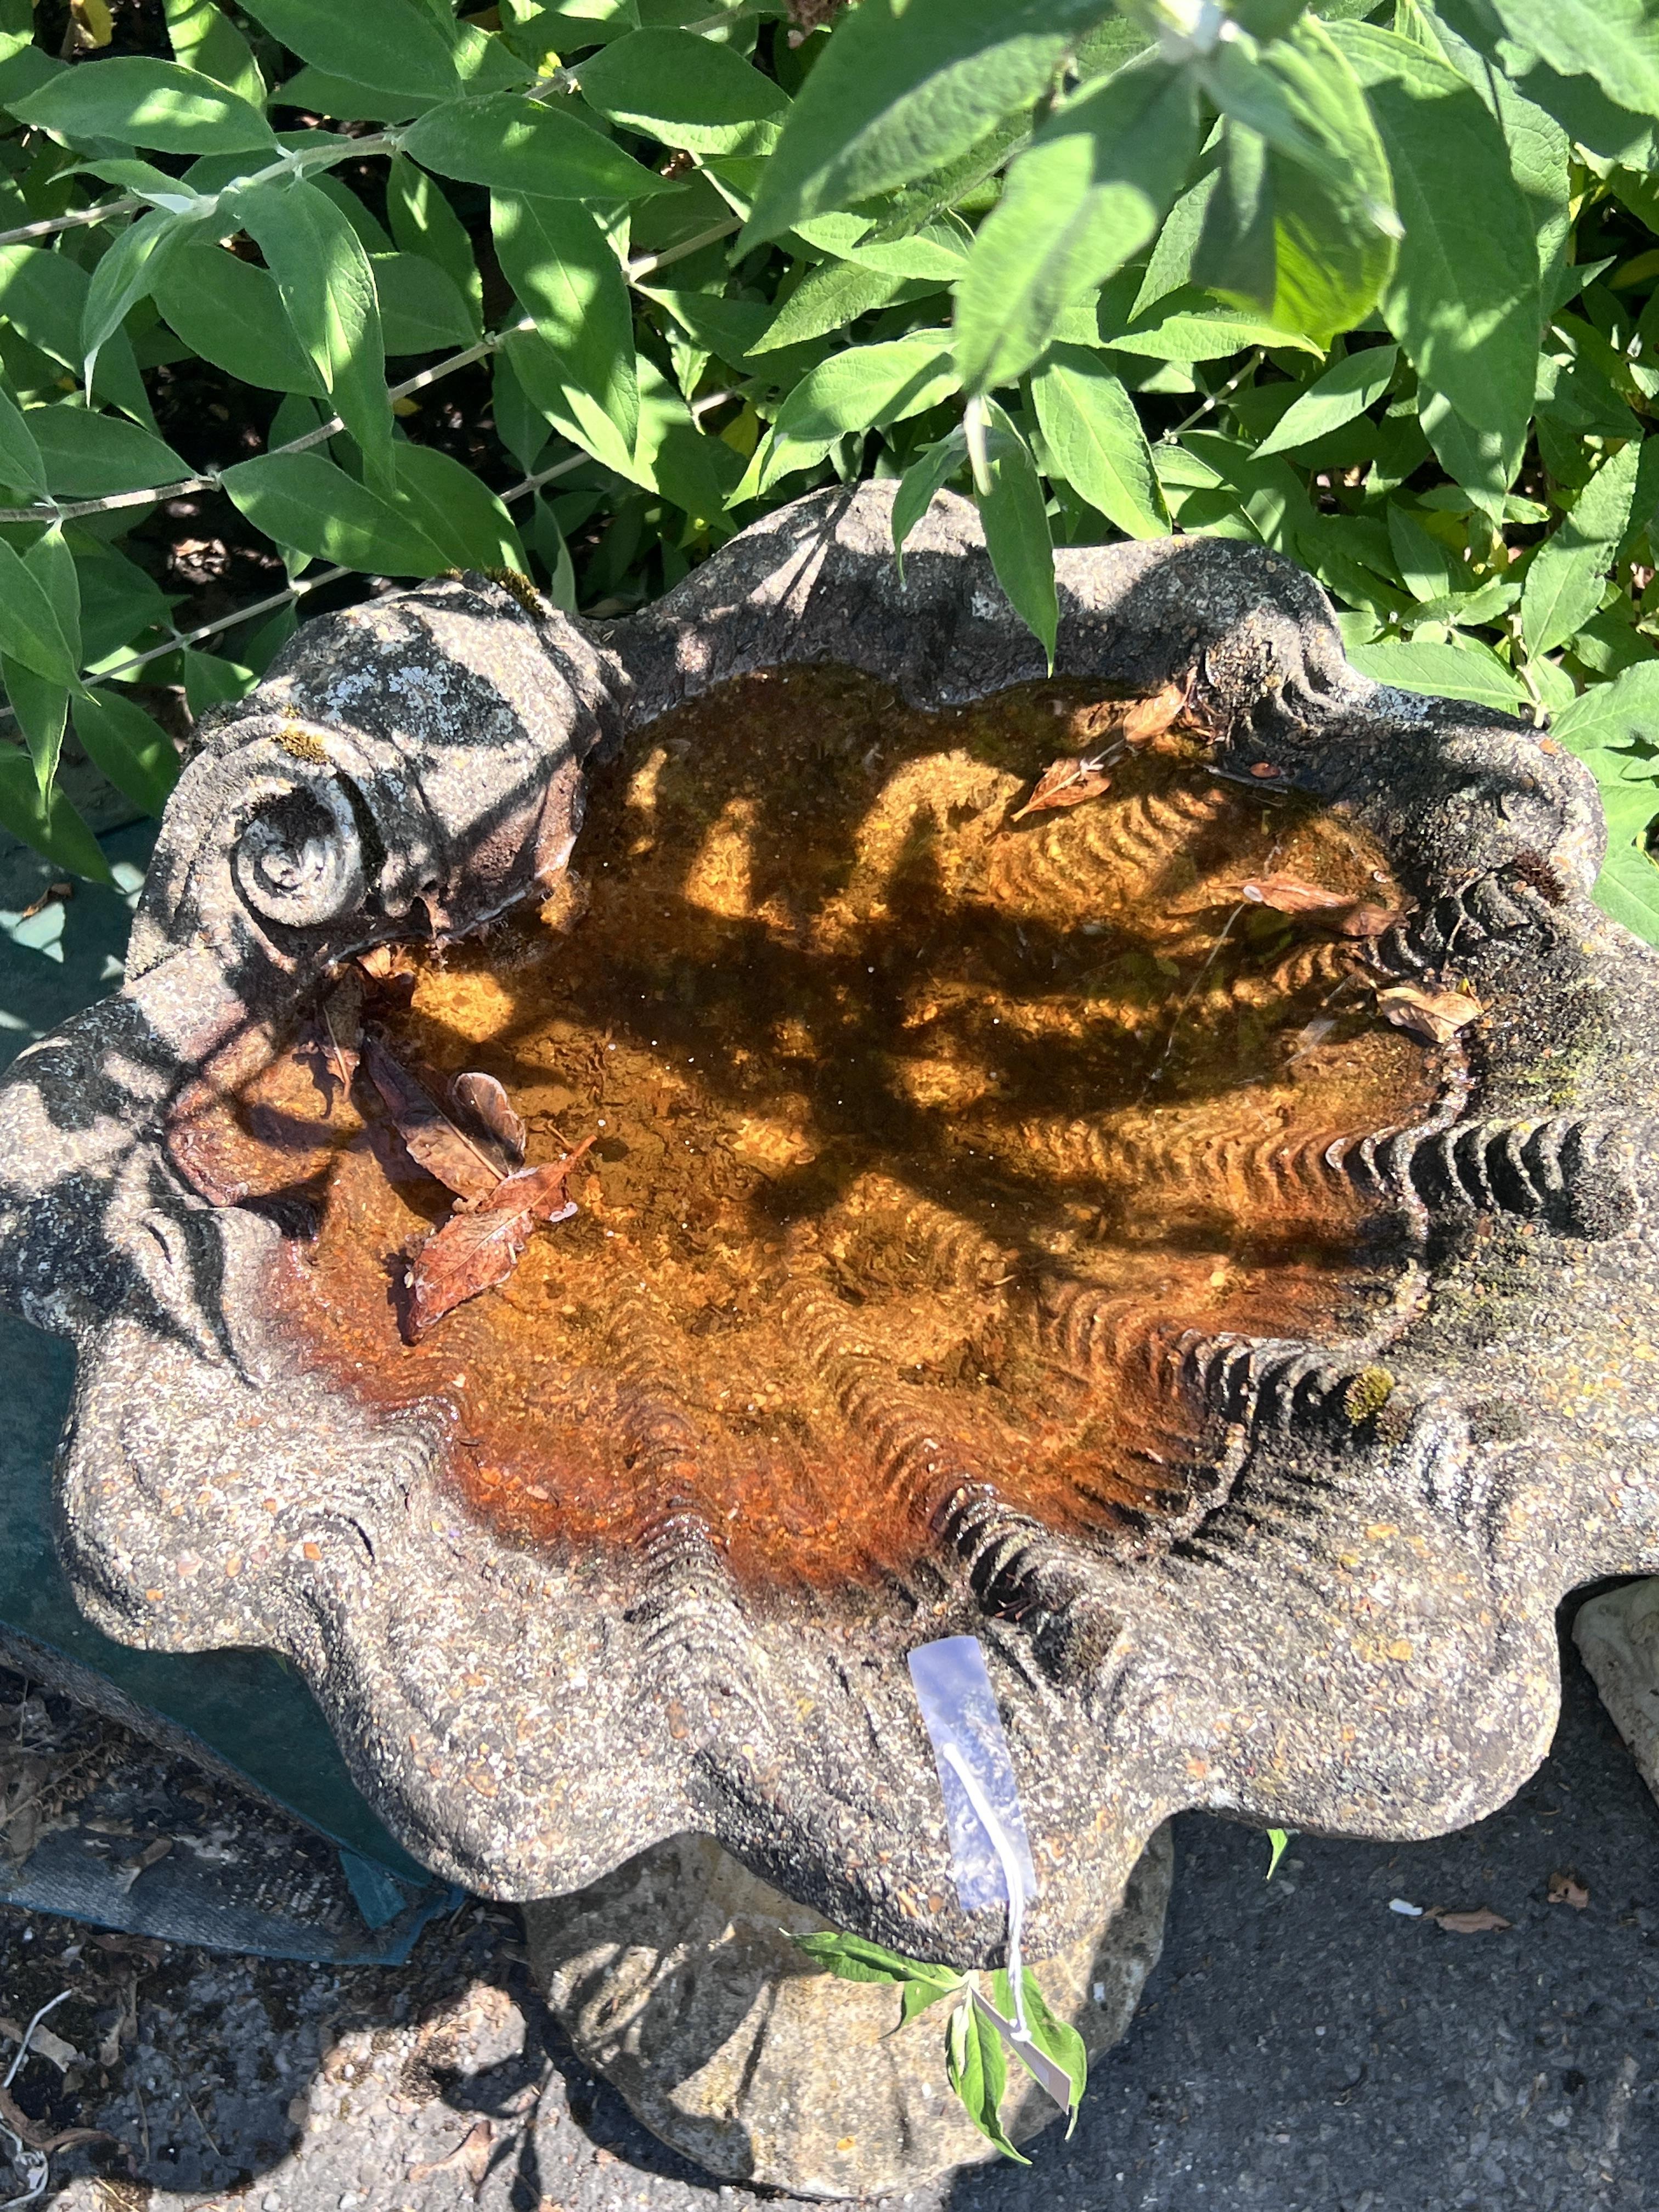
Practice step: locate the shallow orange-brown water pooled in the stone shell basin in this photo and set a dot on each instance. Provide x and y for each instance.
(919, 1136)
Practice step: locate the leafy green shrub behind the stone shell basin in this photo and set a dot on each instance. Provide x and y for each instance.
(1370, 286)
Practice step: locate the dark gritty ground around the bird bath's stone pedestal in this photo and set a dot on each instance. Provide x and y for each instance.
(1302, 2047)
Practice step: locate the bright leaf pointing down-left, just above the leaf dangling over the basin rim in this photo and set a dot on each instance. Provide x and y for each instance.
(1083, 198)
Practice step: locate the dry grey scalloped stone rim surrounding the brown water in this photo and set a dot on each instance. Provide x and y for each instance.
(1359, 1640)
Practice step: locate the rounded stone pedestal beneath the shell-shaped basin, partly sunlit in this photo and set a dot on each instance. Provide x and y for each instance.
(678, 1979)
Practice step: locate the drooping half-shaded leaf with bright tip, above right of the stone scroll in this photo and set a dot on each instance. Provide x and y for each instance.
(567, 275)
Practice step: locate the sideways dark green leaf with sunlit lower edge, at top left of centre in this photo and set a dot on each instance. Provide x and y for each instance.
(685, 92)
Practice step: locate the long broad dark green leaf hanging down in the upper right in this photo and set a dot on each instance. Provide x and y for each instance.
(1465, 295)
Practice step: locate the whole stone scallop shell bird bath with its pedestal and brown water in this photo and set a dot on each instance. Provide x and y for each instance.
(1176, 1218)
